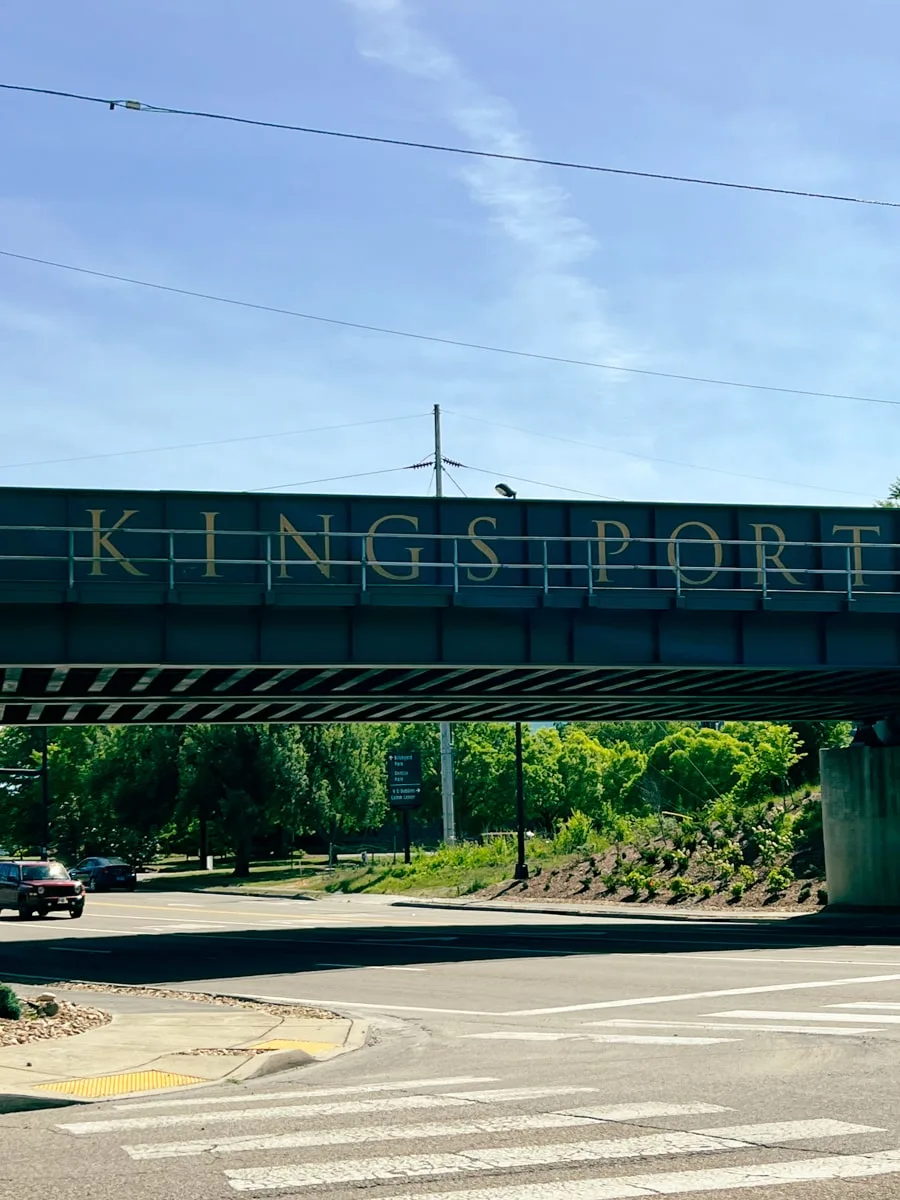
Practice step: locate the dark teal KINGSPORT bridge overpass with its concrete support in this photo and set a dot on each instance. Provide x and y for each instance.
(187, 607)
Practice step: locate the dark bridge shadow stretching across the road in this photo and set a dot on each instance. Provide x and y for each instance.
(238, 953)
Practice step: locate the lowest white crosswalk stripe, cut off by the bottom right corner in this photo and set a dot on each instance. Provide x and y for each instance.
(670, 1184)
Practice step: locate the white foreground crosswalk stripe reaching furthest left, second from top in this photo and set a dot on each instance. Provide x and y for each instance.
(303, 1112)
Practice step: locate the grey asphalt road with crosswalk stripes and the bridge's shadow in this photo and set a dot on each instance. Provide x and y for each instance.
(515, 1057)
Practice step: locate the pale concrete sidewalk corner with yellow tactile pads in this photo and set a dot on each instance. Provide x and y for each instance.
(175, 1047)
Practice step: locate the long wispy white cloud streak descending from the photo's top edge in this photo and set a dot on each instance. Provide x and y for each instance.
(550, 298)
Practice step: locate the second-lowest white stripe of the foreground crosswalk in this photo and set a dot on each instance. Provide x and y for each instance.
(701, 1142)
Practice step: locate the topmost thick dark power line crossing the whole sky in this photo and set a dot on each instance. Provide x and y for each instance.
(532, 160)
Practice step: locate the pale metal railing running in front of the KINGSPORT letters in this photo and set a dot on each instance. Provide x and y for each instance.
(77, 555)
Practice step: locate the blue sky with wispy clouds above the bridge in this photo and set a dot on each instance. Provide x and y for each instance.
(653, 275)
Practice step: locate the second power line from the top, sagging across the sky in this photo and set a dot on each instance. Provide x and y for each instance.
(434, 339)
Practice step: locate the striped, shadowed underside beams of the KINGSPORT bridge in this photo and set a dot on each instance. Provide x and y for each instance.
(155, 694)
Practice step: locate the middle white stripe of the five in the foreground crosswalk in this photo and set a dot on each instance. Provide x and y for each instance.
(416, 1132)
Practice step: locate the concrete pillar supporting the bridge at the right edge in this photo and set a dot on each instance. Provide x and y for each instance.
(861, 823)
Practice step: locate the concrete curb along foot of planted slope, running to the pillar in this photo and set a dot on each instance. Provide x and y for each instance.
(825, 922)
